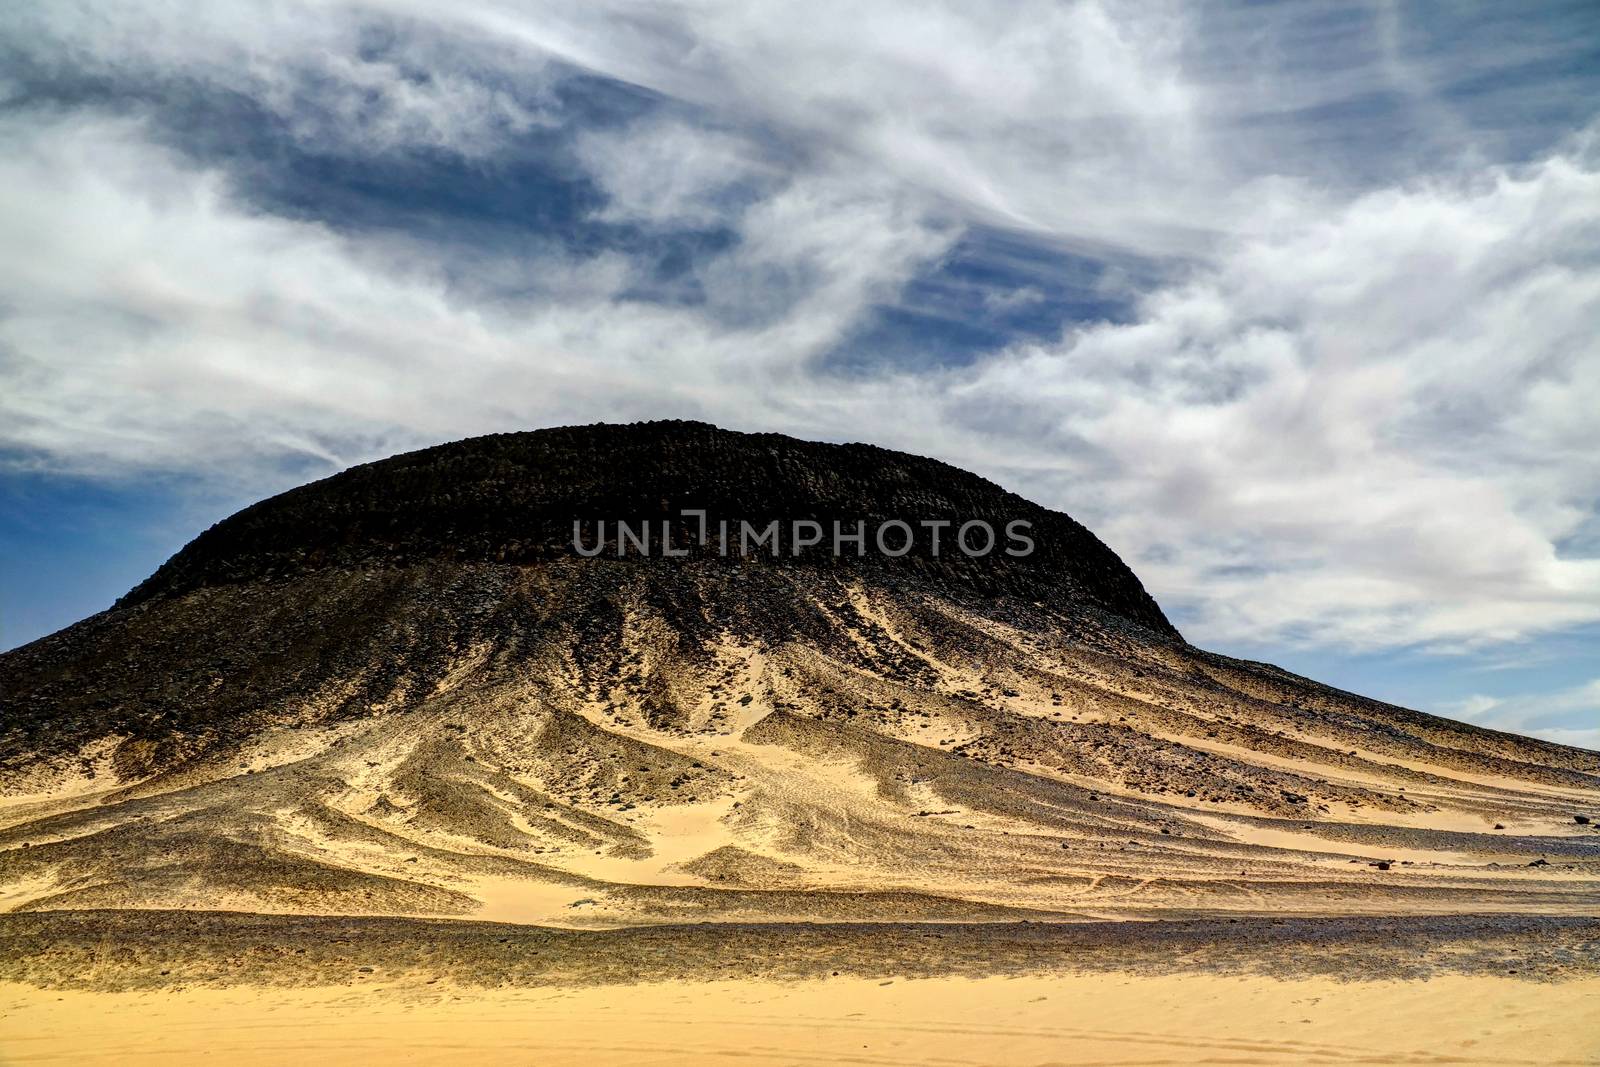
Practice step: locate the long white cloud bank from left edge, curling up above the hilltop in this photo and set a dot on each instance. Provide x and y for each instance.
(154, 321)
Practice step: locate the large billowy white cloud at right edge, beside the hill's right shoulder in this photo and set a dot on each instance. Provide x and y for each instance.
(1366, 430)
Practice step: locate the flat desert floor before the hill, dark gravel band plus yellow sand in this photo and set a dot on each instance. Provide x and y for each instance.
(177, 988)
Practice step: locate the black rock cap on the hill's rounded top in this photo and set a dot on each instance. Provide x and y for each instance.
(516, 497)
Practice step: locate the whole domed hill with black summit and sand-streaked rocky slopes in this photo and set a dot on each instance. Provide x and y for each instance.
(402, 692)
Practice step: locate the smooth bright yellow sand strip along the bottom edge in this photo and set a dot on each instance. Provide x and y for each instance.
(1066, 1020)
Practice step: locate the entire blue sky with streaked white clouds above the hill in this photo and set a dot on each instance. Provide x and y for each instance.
(1294, 303)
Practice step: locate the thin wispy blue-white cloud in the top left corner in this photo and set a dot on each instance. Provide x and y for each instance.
(337, 76)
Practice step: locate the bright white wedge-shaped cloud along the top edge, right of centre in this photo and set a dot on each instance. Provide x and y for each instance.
(1066, 119)
